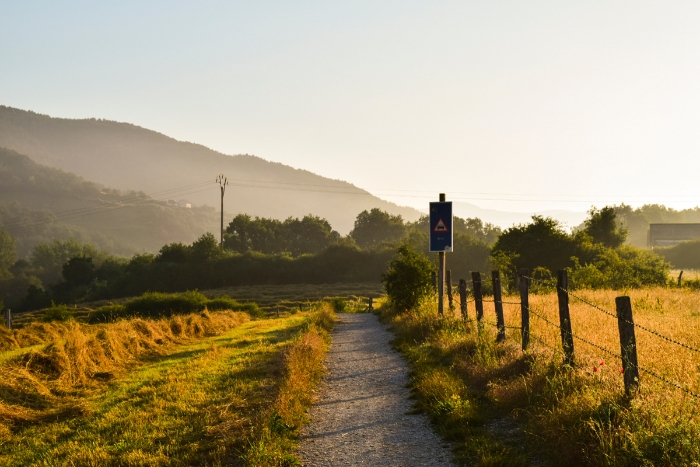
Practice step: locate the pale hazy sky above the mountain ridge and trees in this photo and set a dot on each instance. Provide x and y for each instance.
(510, 105)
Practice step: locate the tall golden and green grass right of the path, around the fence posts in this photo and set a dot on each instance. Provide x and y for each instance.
(502, 406)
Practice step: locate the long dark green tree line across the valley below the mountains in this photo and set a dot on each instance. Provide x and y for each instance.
(307, 250)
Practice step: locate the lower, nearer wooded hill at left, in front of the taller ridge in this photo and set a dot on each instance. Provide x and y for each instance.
(39, 204)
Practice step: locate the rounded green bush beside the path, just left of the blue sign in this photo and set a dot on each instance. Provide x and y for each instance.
(408, 279)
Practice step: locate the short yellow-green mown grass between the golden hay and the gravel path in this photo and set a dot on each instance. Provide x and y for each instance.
(235, 398)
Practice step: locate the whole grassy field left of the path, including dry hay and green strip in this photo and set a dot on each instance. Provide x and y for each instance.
(201, 389)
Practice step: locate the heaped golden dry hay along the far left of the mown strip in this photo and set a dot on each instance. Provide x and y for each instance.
(48, 382)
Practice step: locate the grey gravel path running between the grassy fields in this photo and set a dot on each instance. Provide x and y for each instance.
(360, 417)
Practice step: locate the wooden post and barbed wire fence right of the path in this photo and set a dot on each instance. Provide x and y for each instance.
(623, 314)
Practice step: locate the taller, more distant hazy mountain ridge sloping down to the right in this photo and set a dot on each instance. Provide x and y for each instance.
(128, 157)
